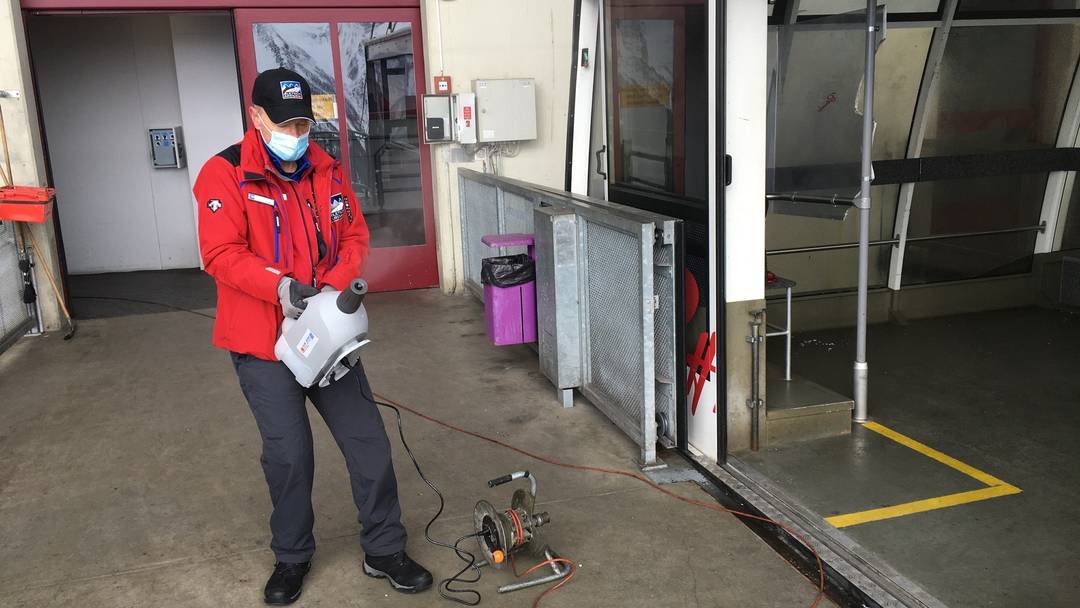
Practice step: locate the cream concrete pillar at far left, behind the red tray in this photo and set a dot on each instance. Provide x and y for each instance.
(25, 144)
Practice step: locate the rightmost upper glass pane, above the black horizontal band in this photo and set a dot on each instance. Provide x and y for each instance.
(1001, 88)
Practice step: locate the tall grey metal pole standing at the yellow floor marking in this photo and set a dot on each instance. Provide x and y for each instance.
(861, 370)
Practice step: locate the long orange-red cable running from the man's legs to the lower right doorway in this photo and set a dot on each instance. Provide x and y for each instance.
(642, 479)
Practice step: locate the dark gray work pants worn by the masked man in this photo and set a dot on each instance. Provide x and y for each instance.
(280, 409)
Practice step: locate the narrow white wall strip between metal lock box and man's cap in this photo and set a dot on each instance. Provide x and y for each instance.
(209, 91)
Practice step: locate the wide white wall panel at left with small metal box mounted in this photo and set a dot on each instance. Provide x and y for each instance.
(104, 82)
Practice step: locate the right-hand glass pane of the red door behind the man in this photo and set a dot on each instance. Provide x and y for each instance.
(384, 140)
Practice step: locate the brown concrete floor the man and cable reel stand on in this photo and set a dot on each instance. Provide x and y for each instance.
(130, 475)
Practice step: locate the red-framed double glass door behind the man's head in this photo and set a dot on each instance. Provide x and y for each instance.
(367, 73)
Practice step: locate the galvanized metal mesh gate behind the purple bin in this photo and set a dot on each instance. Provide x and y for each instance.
(623, 290)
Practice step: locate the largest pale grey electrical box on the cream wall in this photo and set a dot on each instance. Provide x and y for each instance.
(507, 110)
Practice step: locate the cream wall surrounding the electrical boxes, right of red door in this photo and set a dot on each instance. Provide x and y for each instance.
(477, 39)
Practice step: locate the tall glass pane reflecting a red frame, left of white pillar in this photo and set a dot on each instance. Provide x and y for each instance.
(659, 99)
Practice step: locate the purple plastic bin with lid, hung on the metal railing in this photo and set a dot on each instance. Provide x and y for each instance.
(510, 314)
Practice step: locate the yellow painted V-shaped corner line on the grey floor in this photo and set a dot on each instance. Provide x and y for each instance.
(995, 487)
